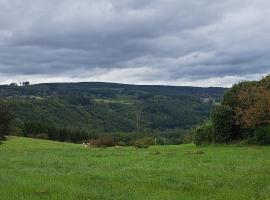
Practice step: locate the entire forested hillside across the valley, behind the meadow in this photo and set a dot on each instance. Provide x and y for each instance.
(80, 111)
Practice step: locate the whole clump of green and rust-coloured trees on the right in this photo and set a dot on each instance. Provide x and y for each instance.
(244, 114)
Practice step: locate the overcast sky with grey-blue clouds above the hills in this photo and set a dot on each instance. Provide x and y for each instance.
(171, 42)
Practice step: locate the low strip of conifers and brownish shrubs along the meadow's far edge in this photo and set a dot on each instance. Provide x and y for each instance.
(43, 131)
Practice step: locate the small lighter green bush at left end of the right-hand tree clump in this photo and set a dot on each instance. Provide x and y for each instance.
(204, 134)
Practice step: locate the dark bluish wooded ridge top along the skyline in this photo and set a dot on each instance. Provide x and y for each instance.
(106, 89)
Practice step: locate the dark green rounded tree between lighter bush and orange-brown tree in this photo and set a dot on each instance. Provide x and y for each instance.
(222, 119)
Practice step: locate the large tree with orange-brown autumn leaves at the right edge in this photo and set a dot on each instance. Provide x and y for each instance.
(250, 102)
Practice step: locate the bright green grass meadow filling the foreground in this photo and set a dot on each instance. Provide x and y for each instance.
(37, 169)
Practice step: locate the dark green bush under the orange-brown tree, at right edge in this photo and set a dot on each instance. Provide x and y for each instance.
(261, 135)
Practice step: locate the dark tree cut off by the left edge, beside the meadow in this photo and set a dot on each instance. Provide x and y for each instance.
(6, 118)
